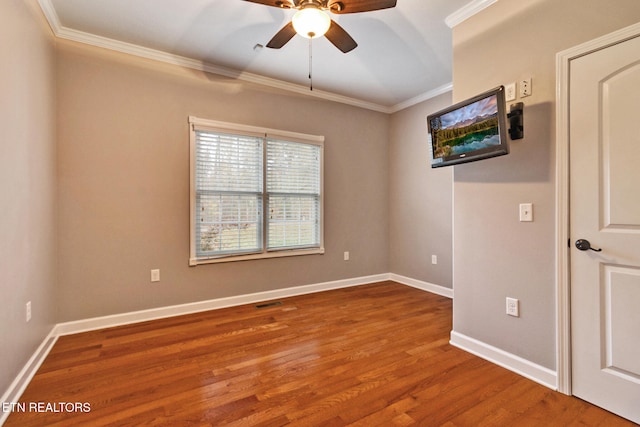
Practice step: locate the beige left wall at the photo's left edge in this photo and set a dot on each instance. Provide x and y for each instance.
(27, 184)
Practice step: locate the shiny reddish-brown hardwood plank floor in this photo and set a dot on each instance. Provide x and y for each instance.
(364, 356)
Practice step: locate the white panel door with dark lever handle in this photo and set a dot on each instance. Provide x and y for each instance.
(604, 149)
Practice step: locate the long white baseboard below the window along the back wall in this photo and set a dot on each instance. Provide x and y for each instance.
(195, 307)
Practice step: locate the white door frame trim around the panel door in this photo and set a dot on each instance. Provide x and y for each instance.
(563, 257)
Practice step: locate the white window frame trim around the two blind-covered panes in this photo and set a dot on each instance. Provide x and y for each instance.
(197, 124)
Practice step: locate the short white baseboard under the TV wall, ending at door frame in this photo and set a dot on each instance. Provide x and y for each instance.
(514, 363)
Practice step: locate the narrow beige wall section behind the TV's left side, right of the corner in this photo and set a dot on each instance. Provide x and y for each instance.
(420, 210)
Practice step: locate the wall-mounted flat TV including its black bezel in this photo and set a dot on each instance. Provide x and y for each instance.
(471, 130)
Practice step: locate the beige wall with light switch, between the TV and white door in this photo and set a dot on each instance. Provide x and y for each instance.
(495, 255)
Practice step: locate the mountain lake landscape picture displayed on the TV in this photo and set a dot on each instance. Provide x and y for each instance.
(466, 129)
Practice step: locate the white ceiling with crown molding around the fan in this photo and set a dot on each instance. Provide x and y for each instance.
(404, 54)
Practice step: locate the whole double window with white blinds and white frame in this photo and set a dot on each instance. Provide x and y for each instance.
(255, 193)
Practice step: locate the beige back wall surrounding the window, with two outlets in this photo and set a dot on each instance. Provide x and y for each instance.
(124, 184)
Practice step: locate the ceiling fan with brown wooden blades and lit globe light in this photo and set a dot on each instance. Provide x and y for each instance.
(312, 20)
